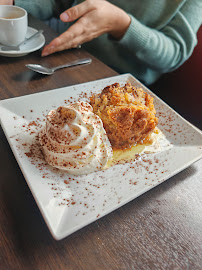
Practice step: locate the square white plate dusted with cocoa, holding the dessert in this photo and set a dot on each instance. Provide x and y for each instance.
(69, 203)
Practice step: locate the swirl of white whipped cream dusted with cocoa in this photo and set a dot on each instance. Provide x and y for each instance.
(74, 139)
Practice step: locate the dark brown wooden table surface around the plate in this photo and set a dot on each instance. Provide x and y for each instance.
(161, 229)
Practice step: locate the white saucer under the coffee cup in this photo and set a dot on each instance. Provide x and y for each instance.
(31, 46)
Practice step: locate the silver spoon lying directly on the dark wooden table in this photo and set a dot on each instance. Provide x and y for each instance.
(49, 71)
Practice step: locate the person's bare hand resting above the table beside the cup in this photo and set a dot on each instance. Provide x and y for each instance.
(95, 17)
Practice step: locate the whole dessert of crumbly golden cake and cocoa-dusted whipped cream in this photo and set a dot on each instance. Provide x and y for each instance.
(79, 138)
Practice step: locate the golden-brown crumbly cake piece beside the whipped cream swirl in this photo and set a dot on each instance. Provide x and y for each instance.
(127, 113)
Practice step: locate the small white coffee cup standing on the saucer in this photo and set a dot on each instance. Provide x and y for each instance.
(13, 25)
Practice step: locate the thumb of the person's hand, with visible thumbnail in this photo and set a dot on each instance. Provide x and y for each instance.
(75, 12)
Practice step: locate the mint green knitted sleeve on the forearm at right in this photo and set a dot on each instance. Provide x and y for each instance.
(167, 48)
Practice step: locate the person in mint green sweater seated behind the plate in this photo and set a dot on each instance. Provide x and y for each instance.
(143, 37)
